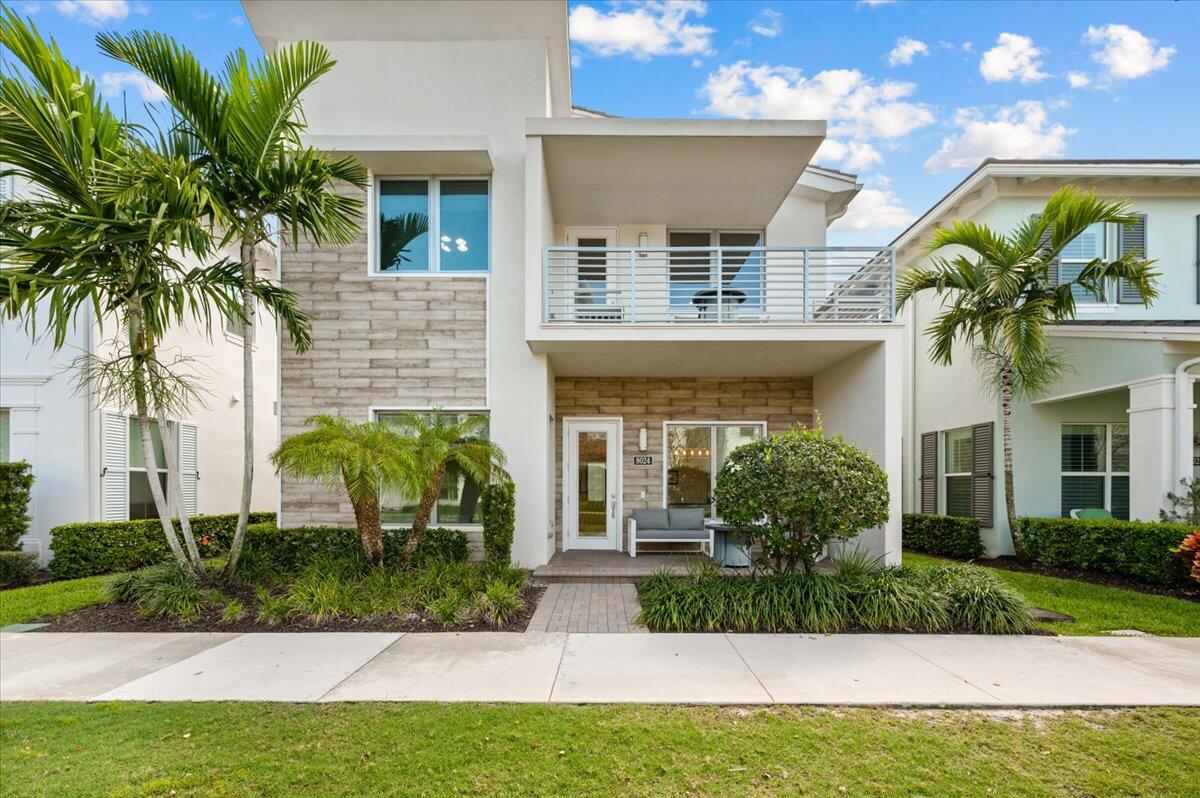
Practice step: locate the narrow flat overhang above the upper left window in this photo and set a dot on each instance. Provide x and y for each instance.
(400, 155)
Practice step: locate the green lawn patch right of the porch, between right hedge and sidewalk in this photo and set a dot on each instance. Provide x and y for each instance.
(1097, 609)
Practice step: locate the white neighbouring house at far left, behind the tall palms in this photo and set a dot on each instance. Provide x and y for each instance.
(87, 459)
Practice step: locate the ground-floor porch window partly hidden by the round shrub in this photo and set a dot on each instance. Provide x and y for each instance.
(695, 454)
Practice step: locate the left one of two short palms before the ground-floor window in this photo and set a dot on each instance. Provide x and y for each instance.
(356, 458)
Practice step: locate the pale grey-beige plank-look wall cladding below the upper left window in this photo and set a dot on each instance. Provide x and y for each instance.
(377, 341)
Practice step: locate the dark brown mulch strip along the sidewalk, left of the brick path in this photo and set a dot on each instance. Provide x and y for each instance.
(122, 616)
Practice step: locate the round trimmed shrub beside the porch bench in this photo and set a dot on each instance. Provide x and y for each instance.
(797, 491)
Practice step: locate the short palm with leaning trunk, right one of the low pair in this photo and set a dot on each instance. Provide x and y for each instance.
(433, 445)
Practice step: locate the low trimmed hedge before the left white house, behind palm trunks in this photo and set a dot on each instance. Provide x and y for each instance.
(94, 548)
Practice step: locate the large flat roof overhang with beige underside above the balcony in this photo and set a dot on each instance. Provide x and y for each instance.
(681, 173)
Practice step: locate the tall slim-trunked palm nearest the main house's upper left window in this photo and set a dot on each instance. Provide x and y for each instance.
(245, 127)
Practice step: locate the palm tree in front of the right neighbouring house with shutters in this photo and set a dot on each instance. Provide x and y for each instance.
(1000, 297)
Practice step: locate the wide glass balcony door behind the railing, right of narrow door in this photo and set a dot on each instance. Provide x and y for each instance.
(739, 271)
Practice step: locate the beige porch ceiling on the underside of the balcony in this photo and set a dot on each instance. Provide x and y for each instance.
(697, 359)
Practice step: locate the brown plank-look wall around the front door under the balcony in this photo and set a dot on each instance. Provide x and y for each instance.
(649, 403)
